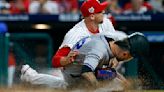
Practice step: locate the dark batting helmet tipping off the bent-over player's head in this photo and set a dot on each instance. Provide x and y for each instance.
(139, 45)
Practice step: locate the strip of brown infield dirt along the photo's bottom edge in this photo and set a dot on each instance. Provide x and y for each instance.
(24, 88)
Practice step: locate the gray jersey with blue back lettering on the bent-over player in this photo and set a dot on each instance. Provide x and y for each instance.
(94, 52)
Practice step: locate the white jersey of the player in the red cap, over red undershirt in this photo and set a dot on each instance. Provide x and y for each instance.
(80, 31)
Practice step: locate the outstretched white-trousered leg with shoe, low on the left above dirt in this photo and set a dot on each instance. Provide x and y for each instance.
(30, 75)
